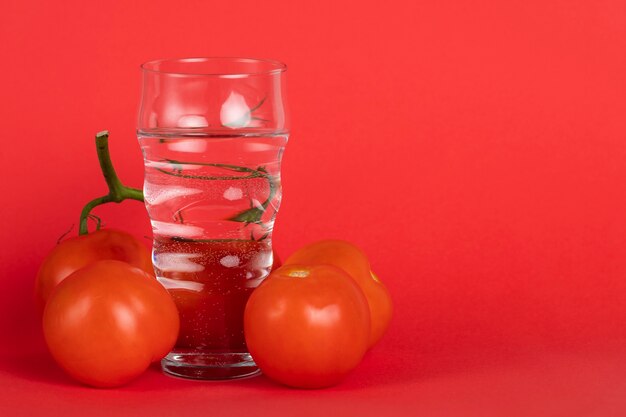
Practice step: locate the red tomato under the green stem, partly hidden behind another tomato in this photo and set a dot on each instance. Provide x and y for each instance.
(77, 252)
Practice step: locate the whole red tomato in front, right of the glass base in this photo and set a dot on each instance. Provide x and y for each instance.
(307, 326)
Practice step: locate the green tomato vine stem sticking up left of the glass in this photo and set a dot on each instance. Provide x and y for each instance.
(118, 192)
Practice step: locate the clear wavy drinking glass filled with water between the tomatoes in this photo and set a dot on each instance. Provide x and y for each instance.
(212, 132)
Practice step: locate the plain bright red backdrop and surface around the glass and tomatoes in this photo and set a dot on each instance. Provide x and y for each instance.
(475, 149)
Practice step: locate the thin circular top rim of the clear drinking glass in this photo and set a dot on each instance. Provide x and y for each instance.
(277, 66)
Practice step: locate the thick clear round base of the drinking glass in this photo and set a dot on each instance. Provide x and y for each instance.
(195, 364)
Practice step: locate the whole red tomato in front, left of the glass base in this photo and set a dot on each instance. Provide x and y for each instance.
(105, 323)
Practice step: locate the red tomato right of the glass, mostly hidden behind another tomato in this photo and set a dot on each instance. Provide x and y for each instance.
(352, 260)
